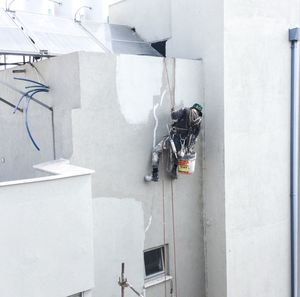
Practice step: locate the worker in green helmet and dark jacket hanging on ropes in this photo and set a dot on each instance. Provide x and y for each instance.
(180, 142)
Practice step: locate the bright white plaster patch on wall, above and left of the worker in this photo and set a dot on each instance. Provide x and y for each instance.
(138, 79)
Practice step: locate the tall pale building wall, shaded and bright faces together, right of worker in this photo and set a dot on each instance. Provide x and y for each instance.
(246, 57)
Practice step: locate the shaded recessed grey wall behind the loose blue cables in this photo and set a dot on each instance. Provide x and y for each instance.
(17, 152)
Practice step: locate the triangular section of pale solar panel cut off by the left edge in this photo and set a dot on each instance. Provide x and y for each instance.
(12, 38)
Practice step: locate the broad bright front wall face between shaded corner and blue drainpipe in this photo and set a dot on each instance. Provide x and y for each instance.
(257, 120)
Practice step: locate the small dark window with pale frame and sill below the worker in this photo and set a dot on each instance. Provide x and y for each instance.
(155, 262)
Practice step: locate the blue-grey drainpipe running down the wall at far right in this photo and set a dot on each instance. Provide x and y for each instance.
(294, 38)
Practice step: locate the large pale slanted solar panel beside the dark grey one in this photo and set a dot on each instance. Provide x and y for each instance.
(57, 35)
